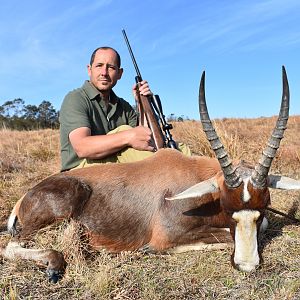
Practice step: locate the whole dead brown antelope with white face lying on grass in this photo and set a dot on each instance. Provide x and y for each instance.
(143, 205)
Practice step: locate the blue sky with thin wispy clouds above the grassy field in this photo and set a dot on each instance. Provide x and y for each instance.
(45, 47)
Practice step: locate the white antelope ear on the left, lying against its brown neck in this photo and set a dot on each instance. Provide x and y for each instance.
(197, 190)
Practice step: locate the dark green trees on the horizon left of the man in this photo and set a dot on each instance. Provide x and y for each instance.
(16, 114)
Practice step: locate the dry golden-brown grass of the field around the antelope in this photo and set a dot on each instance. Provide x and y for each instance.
(27, 157)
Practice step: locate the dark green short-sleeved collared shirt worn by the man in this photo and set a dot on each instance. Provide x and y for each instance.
(84, 107)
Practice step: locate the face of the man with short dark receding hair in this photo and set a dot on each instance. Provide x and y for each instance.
(104, 72)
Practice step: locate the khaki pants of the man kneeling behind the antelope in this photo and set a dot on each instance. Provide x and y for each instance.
(127, 154)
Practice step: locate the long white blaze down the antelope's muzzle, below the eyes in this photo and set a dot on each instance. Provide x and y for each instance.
(246, 256)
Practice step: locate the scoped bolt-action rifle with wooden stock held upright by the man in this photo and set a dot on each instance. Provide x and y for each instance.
(150, 109)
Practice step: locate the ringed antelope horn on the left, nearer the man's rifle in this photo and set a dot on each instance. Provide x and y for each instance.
(232, 179)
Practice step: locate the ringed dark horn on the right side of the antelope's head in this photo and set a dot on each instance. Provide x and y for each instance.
(260, 174)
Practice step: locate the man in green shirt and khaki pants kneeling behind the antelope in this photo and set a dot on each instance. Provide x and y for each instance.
(91, 118)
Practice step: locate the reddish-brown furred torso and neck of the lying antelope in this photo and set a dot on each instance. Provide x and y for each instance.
(122, 210)
